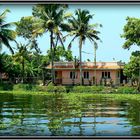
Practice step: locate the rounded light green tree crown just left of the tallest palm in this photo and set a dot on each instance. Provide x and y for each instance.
(30, 28)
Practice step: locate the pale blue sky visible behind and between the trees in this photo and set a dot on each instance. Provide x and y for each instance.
(111, 16)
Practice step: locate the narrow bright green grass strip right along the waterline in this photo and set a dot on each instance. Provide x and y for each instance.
(72, 95)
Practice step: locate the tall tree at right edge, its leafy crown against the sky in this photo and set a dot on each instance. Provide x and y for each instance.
(132, 36)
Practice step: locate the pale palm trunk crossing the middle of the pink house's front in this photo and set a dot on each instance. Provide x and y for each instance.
(80, 66)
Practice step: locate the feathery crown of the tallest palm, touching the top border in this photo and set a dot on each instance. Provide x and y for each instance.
(52, 16)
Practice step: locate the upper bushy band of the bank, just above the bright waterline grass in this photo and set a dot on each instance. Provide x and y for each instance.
(68, 89)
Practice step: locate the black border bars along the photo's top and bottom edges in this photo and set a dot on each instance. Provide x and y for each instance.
(101, 2)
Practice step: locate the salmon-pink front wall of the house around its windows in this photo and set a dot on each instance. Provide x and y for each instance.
(66, 76)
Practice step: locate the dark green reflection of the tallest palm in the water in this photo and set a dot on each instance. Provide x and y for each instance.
(56, 114)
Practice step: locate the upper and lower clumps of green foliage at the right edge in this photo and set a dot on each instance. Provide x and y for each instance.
(131, 35)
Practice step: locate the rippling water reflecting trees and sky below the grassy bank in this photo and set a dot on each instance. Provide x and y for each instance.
(55, 115)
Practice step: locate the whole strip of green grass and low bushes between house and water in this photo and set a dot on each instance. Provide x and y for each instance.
(120, 93)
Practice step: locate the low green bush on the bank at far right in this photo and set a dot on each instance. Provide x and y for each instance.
(126, 89)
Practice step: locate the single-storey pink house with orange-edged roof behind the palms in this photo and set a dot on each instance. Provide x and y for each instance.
(68, 73)
